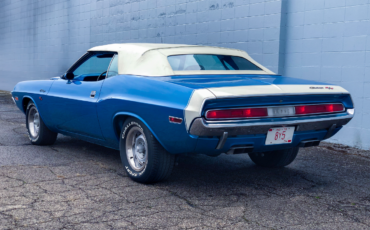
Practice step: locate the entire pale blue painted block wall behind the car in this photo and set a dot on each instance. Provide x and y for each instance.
(325, 40)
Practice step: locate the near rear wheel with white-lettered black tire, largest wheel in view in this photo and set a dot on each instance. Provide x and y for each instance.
(159, 163)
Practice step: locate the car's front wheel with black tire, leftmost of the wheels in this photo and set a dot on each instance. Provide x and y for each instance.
(44, 136)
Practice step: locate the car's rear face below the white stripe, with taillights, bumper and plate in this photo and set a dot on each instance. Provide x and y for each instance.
(269, 122)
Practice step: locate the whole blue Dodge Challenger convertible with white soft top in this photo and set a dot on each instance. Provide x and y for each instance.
(153, 101)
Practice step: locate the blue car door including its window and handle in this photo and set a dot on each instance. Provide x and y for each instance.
(72, 103)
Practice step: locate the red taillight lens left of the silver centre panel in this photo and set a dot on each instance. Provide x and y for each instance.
(237, 113)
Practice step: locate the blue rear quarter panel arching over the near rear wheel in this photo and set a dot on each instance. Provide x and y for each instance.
(151, 101)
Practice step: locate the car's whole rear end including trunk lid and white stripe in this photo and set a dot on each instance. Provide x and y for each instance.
(255, 113)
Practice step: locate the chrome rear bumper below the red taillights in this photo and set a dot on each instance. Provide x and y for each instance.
(202, 127)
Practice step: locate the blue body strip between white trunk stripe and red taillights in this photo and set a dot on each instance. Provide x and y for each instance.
(345, 99)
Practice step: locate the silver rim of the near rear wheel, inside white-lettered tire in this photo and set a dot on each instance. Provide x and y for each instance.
(136, 149)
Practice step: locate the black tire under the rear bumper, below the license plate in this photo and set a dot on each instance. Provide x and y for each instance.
(275, 159)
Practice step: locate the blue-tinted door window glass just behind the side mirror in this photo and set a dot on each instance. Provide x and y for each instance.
(94, 66)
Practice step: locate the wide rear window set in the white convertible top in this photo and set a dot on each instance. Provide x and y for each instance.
(209, 62)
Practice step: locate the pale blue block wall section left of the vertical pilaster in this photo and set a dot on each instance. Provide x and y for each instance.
(41, 38)
